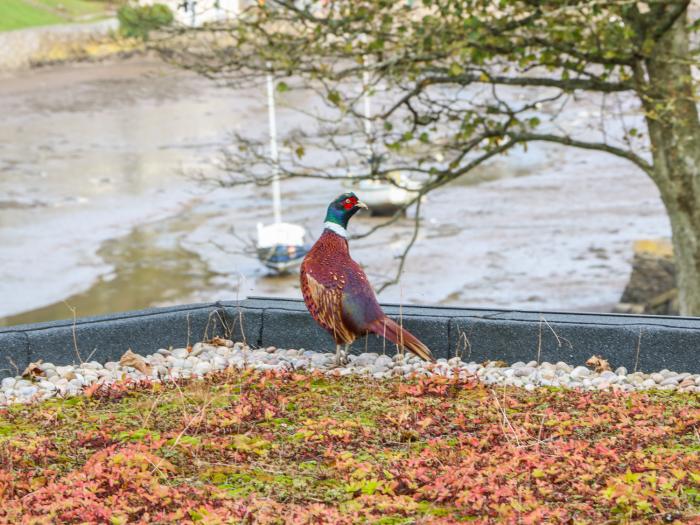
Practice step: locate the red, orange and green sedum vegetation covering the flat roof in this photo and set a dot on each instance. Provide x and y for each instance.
(245, 447)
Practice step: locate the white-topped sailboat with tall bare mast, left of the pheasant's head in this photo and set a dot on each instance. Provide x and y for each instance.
(280, 246)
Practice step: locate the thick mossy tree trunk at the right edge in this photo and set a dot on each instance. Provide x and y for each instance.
(665, 86)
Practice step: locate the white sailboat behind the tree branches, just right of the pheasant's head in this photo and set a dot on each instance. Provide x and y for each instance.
(382, 198)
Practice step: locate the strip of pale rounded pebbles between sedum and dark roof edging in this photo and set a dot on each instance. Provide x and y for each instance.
(45, 380)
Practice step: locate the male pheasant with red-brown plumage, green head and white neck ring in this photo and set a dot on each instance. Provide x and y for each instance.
(337, 292)
